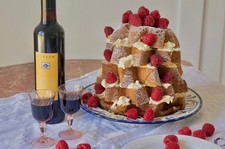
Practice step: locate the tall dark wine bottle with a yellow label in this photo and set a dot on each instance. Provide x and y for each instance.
(49, 57)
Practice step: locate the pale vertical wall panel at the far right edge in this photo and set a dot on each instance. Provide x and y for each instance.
(213, 39)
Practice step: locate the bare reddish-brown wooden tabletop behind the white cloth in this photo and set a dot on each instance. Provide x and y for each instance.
(20, 78)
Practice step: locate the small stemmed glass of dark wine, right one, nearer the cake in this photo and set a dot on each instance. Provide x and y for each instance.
(69, 96)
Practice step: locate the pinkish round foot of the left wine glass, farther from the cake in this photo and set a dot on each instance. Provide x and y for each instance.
(43, 142)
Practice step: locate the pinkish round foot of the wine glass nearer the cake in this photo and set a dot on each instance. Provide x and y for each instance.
(70, 134)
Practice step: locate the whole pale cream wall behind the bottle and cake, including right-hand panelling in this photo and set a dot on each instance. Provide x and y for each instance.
(199, 25)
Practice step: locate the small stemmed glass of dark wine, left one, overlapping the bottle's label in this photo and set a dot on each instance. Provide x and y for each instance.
(42, 110)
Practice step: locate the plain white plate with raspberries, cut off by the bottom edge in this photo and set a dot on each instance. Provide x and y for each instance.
(156, 142)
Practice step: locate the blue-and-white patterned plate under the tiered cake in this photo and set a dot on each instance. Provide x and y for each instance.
(193, 104)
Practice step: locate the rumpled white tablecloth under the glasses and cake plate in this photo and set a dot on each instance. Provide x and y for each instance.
(18, 127)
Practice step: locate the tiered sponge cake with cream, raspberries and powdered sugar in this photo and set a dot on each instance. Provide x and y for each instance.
(142, 68)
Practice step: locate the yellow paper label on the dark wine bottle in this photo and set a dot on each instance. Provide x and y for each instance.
(47, 71)
